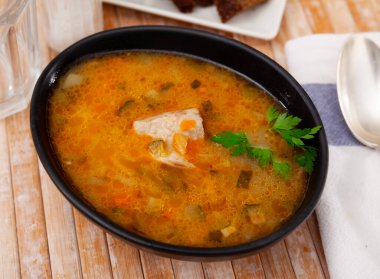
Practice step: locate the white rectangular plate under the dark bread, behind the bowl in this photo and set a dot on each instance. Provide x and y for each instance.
(261, 22)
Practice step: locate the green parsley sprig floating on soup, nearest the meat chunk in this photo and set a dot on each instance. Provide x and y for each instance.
(239, 145)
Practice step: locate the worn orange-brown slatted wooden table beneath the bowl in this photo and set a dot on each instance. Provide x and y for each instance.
(42, 236)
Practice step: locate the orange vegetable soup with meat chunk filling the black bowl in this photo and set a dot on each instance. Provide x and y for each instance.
(135, 135)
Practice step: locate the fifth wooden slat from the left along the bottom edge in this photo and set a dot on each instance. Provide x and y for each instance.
(125, 259)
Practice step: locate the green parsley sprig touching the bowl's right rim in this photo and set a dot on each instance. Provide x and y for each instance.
(285, 125)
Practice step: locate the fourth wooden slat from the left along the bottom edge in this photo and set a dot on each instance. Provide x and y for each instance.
(93, 249)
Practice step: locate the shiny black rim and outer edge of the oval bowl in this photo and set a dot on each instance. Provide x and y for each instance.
(143, 242)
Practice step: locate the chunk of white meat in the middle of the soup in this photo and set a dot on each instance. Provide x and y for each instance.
(165, 126)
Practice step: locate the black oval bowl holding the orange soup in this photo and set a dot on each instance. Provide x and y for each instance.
(226, 52)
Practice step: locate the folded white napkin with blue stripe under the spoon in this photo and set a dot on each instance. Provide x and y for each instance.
(349, 209)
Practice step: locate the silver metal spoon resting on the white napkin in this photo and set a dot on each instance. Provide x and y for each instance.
(358, 87)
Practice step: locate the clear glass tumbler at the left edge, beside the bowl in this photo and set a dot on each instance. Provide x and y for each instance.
(19, 54)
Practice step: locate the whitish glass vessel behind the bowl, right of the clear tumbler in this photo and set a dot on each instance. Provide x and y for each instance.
(71, 20)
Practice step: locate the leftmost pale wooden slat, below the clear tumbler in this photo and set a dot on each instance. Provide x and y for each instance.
(9, 259)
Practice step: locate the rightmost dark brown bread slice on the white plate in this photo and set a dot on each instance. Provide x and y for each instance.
(229, 8)
